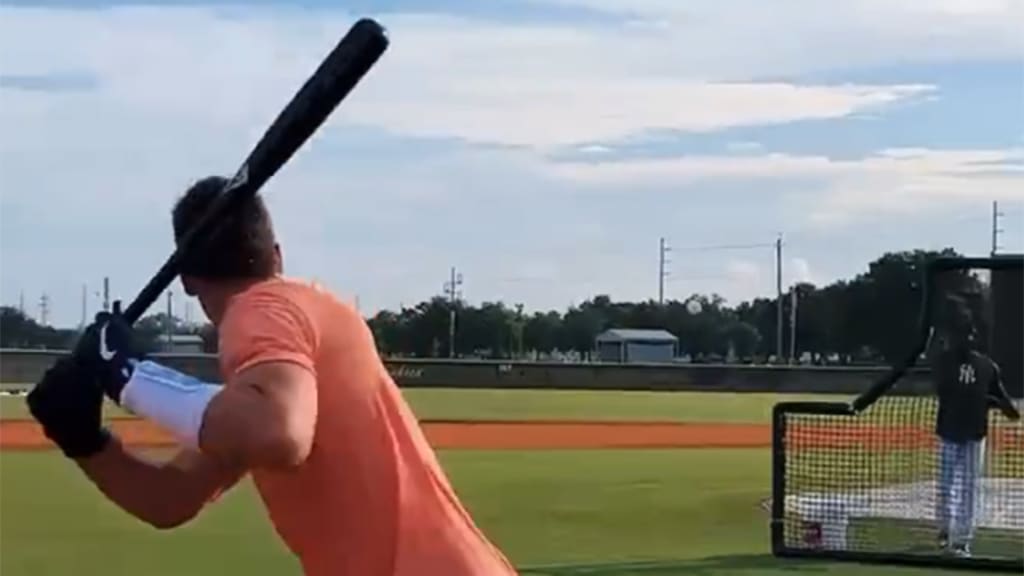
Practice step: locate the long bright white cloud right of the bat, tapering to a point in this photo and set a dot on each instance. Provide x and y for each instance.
(566, 110)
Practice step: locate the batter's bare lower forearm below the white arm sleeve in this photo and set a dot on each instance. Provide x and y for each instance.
(162, 495)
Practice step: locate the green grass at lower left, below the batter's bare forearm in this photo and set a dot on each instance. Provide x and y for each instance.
(54, 521)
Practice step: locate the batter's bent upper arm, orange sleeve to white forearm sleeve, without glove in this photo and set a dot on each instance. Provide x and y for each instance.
(266, 415)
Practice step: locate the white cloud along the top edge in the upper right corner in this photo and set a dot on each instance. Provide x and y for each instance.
(743, 37)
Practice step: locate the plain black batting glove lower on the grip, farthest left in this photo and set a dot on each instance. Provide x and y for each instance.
(68, 403)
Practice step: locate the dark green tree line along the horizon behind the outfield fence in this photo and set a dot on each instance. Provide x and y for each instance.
(872, 317)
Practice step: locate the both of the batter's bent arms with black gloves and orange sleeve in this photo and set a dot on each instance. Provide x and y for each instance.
(264, 419)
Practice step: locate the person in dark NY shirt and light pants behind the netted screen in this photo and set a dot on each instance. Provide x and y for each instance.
(967, 384)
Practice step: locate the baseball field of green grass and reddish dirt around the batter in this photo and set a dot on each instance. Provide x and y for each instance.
(567, 483)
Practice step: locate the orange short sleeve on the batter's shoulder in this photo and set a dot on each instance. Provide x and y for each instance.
(266, 326)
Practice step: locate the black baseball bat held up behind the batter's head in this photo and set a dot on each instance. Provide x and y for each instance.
(355, 55)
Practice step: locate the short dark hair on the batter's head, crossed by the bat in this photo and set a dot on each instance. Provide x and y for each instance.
(245, 246)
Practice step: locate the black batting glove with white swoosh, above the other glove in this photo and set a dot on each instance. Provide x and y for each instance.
(109, 349)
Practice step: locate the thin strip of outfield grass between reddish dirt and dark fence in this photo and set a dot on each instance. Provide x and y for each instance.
(444, 404)
